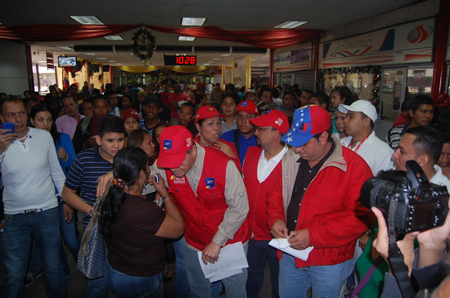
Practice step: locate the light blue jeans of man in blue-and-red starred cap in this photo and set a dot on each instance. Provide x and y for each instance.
(326, 281)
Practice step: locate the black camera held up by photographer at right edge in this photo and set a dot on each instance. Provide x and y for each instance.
(421, 204)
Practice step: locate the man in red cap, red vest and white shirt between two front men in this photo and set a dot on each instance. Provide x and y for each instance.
(259, 173)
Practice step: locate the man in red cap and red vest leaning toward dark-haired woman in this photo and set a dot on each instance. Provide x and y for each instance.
(208, 189)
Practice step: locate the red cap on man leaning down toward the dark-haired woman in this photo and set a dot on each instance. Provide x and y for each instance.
(175, 142)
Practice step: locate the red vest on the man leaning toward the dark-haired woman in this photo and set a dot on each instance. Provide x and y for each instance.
(203, 214)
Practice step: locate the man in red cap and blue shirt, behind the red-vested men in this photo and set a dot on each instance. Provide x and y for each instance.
(244, 136)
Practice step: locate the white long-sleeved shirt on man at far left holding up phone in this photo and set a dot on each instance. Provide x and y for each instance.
(30, 171)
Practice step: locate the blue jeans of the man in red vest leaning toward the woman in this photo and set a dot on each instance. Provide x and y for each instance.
(203, 288)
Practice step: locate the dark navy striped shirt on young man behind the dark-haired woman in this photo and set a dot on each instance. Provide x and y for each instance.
(87, 167)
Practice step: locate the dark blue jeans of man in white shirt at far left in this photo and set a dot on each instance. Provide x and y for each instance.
(16, 244)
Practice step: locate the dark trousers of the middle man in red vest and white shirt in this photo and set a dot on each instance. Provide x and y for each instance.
(258, 252)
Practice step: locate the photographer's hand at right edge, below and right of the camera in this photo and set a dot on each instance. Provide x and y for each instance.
(432, 244)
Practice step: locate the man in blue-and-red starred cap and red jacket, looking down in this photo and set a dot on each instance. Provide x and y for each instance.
(314, 202)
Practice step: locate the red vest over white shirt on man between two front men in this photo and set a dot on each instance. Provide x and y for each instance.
(256, 193)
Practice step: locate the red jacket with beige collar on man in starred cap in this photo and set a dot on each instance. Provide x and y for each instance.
(330, 210)
